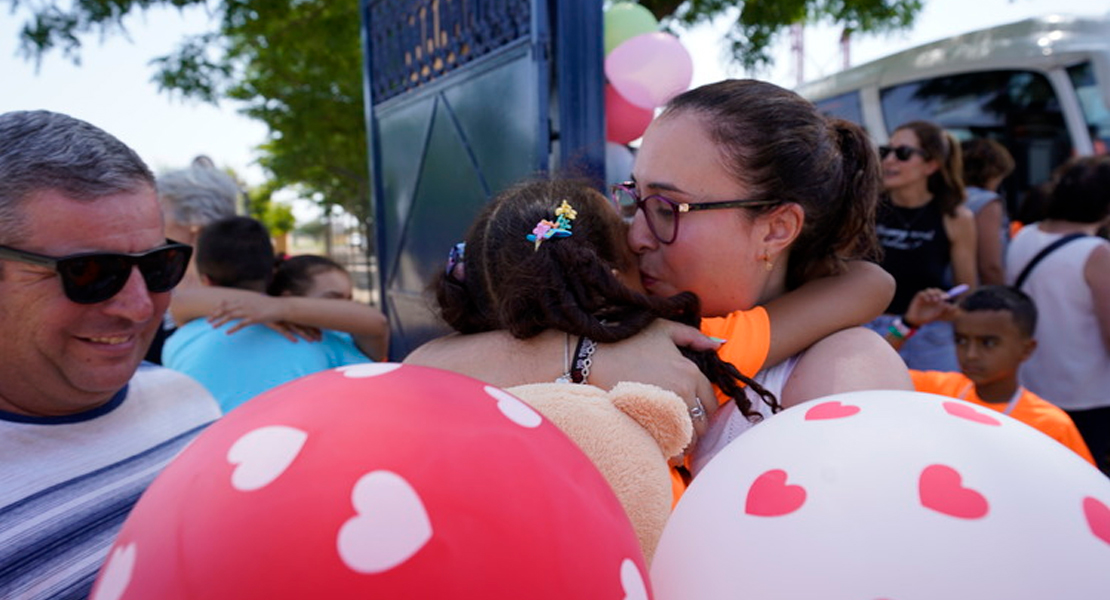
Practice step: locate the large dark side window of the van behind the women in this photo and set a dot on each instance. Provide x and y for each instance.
(1020, 109)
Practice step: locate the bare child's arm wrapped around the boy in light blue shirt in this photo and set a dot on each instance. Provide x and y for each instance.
(367, 326)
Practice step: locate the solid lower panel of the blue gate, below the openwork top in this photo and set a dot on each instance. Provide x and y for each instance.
(446, 149)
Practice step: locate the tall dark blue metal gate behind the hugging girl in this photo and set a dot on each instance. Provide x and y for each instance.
(463, 99)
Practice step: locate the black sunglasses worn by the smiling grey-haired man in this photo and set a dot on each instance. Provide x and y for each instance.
(93, 278)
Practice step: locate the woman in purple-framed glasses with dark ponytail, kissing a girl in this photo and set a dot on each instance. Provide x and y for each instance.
(743, 192)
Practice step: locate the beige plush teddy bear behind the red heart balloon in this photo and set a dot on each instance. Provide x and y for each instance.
(629, 433)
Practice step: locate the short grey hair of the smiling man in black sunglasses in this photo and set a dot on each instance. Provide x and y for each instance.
(43, 150)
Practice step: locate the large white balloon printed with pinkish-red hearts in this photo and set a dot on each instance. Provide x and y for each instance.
(890, 496)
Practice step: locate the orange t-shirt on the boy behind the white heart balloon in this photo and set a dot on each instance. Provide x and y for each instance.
(1031, 409)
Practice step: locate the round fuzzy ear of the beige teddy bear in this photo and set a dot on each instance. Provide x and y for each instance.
(660, 412)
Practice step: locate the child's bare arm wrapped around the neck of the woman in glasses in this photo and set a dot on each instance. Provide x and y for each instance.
(826, 306)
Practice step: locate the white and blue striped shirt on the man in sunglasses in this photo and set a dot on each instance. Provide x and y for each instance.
(67, 484)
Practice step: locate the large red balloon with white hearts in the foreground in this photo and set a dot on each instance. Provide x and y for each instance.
(378, 481)
